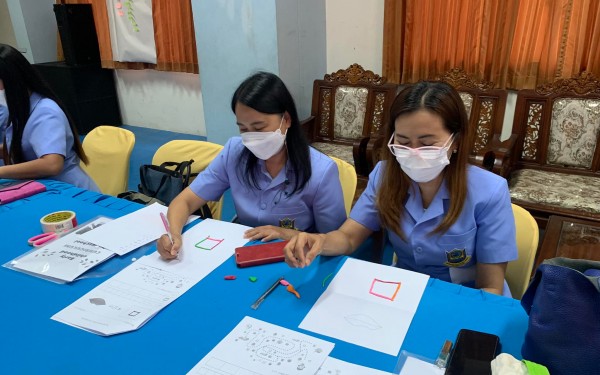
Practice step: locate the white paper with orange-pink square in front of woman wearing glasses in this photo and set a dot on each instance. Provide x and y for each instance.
(368, 304)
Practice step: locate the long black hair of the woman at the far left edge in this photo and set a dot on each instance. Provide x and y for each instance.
(20, 81)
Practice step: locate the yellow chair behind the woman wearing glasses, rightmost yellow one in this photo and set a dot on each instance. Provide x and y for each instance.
(518, 272)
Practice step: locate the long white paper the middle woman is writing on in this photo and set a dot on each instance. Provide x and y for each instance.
(133, 296)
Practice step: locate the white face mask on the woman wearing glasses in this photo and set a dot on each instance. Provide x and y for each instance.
(421, 164)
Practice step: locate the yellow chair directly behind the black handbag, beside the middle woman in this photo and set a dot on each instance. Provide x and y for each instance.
(202, 152)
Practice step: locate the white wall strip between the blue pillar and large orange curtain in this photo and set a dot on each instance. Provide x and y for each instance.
(354, 34)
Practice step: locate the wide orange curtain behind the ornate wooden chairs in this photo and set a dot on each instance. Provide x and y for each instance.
(513, 43)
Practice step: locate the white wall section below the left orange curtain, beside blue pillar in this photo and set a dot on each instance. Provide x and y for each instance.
(161, 100)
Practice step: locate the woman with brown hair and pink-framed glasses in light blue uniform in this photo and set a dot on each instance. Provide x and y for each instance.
(443, 217)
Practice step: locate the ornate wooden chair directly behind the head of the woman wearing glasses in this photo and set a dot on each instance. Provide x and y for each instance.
(485, 107)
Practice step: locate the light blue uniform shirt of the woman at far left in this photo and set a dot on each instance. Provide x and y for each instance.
(48, 132)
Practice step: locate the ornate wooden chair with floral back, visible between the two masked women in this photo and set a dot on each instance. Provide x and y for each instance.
(348, 107)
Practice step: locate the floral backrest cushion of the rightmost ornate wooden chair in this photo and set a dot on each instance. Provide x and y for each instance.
(573, 132)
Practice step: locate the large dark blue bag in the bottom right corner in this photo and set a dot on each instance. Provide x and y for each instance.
(563, 304)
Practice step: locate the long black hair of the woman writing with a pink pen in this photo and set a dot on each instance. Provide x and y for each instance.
(266, 93)
